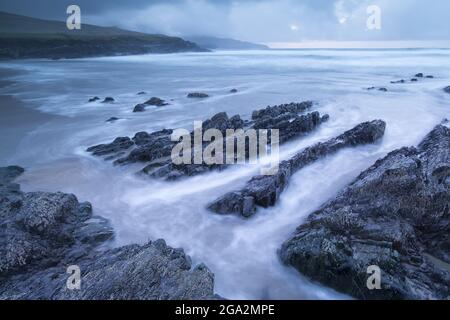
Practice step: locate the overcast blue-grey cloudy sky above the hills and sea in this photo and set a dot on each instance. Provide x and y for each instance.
(258, 21)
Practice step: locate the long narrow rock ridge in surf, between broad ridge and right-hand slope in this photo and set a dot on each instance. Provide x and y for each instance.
(264, 190)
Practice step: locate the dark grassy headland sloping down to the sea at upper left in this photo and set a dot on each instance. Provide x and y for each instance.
(25, 37)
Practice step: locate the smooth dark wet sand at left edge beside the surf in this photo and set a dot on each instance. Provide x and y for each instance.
(16, 120)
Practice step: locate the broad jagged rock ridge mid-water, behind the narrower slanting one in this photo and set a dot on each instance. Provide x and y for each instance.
(154, 149)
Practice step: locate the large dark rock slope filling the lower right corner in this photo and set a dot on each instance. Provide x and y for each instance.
(395, 215)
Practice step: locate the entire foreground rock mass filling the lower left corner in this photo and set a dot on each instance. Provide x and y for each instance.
(41, 234)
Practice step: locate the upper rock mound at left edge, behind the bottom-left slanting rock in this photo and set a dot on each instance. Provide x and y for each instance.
(38, 229)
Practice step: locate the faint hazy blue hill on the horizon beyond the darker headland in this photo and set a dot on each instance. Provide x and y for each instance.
(214, 43)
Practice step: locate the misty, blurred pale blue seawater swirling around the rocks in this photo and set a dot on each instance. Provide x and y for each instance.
(241, 253)
